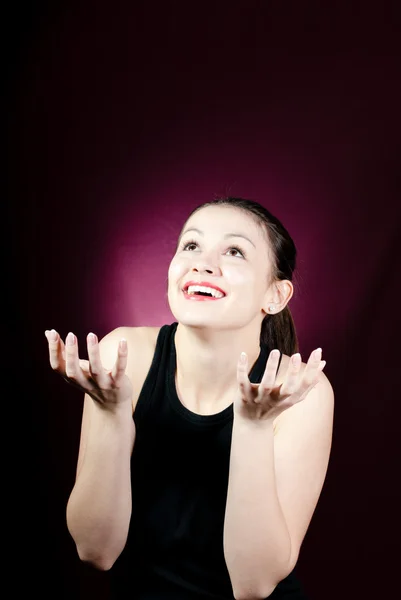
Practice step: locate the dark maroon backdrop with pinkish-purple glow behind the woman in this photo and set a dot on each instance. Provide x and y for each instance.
(124, 116)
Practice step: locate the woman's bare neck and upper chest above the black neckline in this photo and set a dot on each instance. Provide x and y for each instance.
(206, 376)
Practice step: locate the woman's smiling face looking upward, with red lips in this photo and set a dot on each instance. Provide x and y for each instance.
(223, 247)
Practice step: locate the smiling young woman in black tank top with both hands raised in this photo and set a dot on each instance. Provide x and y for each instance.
(205, 443)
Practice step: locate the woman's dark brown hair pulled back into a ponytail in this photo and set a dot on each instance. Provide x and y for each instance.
(278, 330)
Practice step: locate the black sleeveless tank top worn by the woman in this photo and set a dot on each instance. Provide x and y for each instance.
(179, 474)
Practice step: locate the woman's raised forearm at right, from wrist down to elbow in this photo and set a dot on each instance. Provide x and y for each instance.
(257, 544)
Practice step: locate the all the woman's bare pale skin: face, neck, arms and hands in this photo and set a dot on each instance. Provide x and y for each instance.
(282, 427)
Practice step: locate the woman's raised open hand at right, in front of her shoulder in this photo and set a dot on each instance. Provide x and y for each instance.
(266, 400)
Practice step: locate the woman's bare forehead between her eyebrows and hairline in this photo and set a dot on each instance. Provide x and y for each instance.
(224, 219)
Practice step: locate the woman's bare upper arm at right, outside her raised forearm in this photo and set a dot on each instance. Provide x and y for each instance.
(302, 444)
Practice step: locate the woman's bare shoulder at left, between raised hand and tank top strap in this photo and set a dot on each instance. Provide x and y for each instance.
(141, 348)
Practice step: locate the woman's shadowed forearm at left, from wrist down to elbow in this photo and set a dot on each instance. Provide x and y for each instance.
(99, 507)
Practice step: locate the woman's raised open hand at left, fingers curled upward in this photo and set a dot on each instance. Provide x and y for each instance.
(110, 388)
